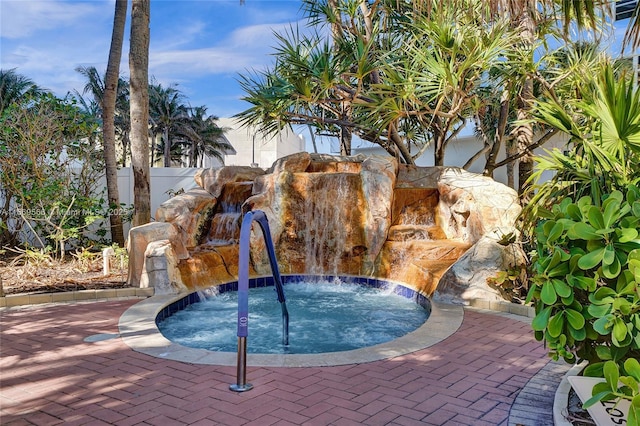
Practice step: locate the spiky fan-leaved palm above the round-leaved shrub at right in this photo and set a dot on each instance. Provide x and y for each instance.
(603, 126)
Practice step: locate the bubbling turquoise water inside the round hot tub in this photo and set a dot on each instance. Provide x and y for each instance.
(324, 317)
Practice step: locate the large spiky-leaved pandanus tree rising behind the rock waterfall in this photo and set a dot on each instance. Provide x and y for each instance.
(400, 77)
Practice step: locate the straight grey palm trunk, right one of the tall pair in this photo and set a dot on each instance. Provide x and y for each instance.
(139, 81)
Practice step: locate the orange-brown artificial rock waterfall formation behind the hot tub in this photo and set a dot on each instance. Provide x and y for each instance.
(332, 215)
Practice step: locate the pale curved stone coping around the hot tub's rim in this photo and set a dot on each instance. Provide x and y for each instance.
(138, 330)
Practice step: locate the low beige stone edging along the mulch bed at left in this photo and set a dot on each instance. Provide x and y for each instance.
(14, 300)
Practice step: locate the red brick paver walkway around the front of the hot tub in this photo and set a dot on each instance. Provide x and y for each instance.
(50, 375)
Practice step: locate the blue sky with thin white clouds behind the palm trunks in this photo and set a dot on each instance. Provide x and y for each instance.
(201, 45)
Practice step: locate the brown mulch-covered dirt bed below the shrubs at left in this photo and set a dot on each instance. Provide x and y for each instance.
(49, 276)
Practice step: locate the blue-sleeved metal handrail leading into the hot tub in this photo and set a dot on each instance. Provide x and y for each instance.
(241, 384)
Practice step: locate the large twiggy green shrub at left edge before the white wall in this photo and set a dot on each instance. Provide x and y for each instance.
(49, 172)
